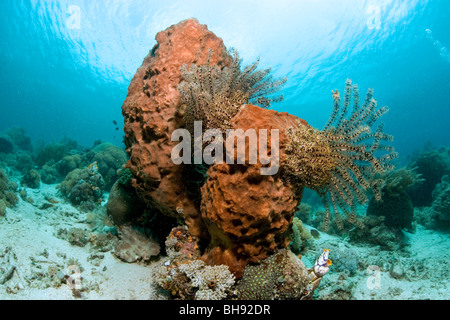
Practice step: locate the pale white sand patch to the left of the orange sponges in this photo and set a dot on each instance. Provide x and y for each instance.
(29, 231)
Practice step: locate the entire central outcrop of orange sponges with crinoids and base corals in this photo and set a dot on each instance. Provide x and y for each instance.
(242, 217)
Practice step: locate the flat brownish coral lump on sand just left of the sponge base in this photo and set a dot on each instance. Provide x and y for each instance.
(135, 246)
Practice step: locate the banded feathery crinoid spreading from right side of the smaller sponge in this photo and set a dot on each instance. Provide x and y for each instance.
(343, 161)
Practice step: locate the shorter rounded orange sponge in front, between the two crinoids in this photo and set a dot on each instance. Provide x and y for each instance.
(248, 214)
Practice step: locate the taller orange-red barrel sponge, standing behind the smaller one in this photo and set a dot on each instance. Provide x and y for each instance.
(151, 113)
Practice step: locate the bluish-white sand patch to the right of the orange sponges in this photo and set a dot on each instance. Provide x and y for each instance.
(420, 271)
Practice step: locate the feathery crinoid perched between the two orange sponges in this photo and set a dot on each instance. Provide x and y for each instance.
(214, 94)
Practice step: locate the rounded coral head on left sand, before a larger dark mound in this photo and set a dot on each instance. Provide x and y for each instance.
(83, 187)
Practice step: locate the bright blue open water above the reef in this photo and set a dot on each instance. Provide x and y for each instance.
(66, 65)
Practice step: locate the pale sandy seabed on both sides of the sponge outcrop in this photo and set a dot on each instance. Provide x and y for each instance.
(29, 235)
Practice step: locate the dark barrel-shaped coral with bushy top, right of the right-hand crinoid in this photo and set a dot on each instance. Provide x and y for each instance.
(395, 204)
